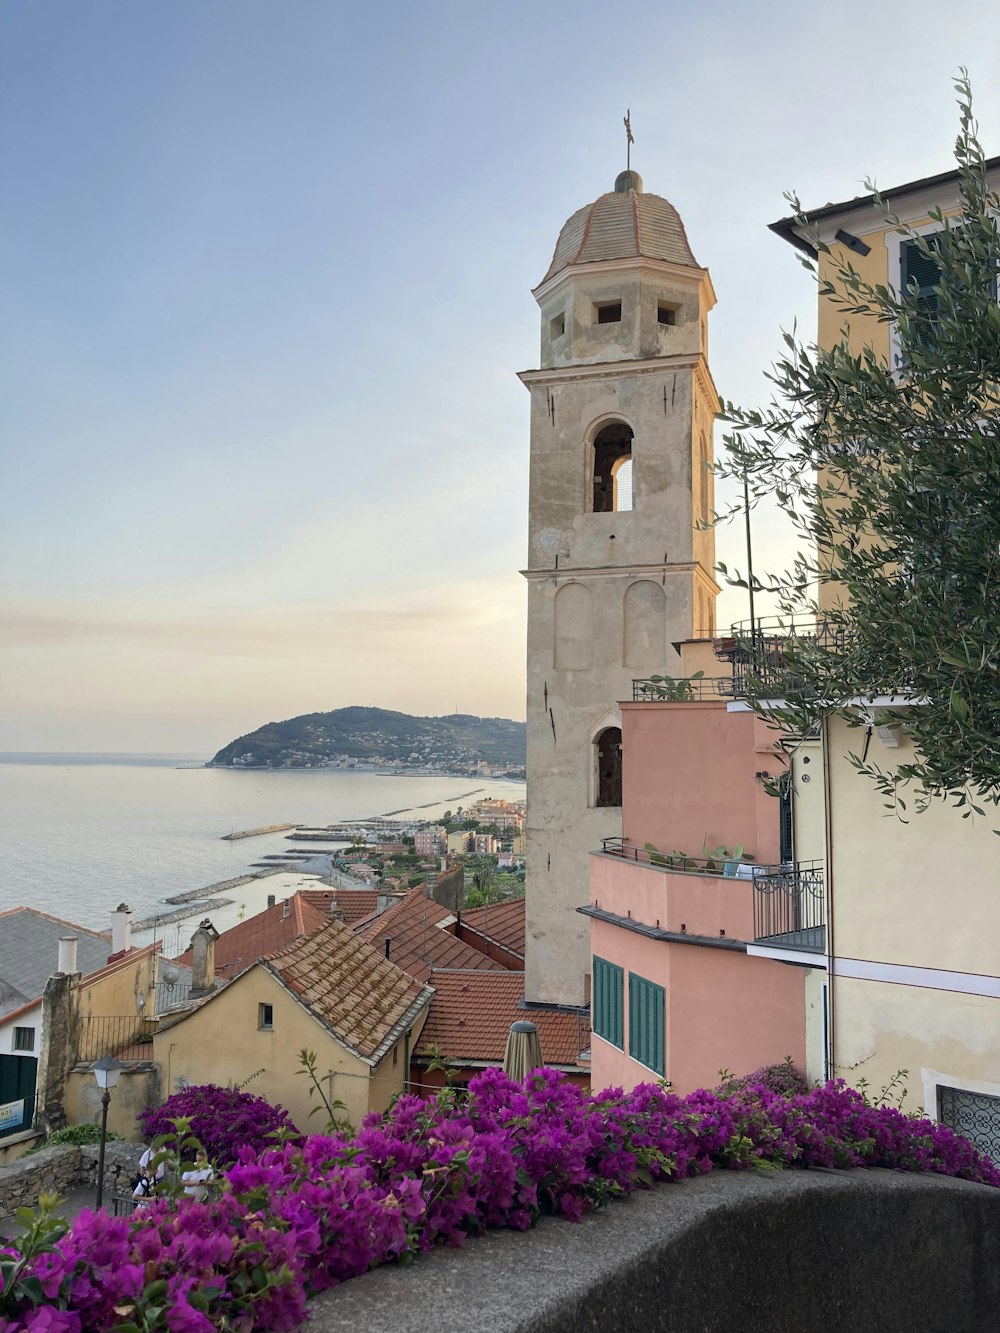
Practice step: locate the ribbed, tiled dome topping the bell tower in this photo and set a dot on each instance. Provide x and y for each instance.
(626, 223)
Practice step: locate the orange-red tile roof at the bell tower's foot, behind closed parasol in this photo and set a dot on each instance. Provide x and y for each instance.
(471, 1016)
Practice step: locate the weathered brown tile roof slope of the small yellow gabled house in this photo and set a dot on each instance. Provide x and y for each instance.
(361, 996)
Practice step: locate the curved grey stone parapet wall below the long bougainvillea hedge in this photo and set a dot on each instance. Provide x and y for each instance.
(811, 1252)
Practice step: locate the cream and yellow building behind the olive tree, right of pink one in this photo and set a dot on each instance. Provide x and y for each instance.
(913, 908)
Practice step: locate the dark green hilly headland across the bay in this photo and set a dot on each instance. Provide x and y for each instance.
(349, 738)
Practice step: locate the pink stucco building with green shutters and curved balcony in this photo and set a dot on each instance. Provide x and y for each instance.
(675, 992)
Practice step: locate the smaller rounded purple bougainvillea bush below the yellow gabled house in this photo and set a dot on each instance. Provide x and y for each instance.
(225, 1120)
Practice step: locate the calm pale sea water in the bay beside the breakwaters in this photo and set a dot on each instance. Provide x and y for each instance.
(81, 834)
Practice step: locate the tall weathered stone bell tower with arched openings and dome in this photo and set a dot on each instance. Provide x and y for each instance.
(622, 413)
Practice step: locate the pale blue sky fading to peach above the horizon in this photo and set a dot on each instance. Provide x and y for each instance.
(266, 279)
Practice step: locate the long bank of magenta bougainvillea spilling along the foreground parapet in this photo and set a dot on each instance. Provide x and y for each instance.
(301, 1218)
